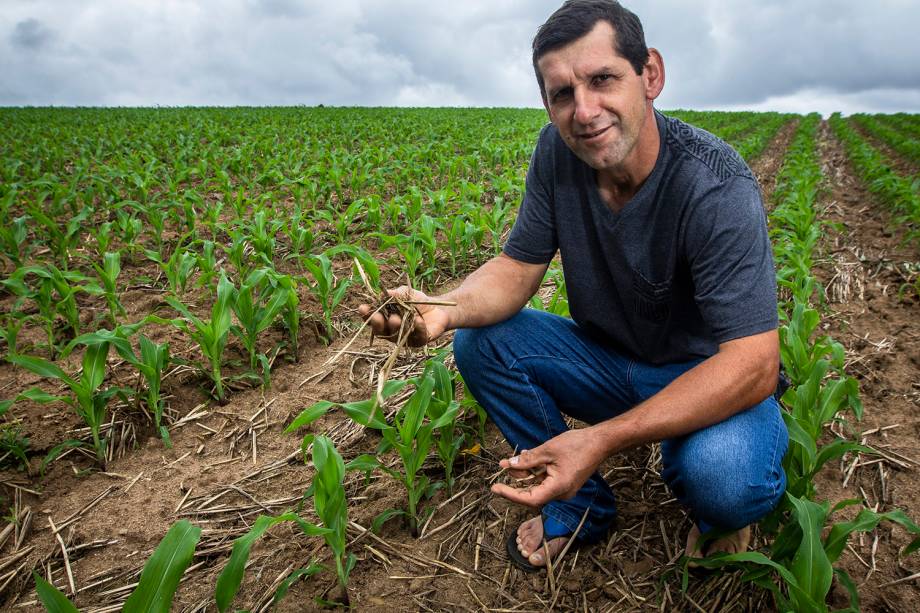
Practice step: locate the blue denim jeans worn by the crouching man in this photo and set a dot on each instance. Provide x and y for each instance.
(531, 369)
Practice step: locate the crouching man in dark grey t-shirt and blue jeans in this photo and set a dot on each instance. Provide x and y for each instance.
(671, 287)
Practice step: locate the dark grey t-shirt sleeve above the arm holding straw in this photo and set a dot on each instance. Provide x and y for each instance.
(533, 237)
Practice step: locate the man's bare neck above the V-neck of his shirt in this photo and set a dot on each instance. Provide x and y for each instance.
(617, 186)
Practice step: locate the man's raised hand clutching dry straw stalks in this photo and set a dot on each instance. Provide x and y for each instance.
(403, 311)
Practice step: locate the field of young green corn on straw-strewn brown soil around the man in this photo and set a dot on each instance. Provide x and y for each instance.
(186, 380)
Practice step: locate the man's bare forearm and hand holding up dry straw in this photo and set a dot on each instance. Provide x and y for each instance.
(492, 293)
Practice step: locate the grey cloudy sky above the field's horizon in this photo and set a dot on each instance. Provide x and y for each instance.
(786, 55)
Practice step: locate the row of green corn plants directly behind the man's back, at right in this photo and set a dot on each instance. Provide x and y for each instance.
(807, 539)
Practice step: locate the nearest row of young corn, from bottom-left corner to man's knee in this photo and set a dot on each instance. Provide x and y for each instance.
(425, 424)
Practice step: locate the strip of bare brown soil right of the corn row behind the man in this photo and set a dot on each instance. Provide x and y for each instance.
(863, 268)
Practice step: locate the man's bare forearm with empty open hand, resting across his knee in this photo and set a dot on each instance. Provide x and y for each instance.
(740, 375)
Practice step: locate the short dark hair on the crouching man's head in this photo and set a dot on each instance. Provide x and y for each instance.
(576, 18)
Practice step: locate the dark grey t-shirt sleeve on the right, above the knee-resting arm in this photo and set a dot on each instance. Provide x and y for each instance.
(728, 249)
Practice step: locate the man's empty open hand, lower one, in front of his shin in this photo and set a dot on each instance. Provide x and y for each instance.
(561, 464)
